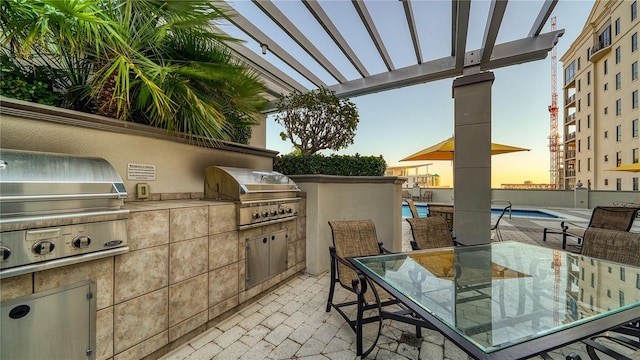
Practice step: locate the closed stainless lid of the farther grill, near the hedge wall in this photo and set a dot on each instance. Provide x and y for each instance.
(239, 184)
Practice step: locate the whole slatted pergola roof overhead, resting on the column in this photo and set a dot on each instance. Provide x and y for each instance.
(490, 56)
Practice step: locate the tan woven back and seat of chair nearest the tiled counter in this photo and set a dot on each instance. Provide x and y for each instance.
(353, 238)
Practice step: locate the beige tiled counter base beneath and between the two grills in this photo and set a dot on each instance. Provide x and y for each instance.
(184, 272)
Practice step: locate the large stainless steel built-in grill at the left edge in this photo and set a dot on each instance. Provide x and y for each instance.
(58, 210)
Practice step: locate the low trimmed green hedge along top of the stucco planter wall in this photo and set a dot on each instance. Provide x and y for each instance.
(344, 165)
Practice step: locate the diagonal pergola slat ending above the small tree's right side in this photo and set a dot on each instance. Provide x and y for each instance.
(296, 35)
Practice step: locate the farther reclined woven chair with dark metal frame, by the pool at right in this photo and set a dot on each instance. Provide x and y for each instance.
(602, 217)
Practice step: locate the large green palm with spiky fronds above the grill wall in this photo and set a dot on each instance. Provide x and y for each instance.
(152, 61)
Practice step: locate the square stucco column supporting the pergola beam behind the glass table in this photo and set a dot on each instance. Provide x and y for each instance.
(472, 164)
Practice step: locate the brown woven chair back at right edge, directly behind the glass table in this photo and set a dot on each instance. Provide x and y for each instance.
(612, 245)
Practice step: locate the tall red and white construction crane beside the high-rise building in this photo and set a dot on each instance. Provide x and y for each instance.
(554, 149)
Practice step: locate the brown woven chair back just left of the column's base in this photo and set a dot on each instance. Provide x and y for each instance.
(430, 232)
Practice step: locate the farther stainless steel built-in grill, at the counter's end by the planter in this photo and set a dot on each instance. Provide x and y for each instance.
(264, 196)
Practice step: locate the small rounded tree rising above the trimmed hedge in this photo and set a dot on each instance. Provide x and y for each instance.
(317, 120)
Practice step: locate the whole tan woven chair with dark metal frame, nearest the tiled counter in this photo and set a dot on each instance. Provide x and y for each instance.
(354, 238)
